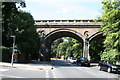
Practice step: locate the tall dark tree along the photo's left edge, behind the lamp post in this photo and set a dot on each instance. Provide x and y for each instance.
(9, 12)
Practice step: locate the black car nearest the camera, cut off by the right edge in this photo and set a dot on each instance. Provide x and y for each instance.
(105, 65)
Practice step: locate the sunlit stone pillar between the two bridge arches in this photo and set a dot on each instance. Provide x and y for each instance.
(86, 49)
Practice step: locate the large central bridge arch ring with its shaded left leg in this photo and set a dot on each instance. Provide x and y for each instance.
(52, 36)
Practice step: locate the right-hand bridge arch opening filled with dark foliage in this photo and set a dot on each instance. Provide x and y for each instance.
(97, 38)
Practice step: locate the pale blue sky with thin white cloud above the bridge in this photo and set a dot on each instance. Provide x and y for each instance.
(63, 9)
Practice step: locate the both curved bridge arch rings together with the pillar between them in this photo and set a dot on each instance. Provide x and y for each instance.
(58, 33)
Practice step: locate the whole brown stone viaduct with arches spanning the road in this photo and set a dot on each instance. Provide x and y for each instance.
(82, 30)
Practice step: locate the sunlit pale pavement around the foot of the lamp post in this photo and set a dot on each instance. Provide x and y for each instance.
(29, 66)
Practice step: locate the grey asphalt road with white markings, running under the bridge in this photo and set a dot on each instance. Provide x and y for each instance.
(61, 69)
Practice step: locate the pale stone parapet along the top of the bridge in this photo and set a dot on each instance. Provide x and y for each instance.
(67, 22)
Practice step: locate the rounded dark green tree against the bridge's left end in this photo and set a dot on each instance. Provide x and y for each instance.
(27, 38)
